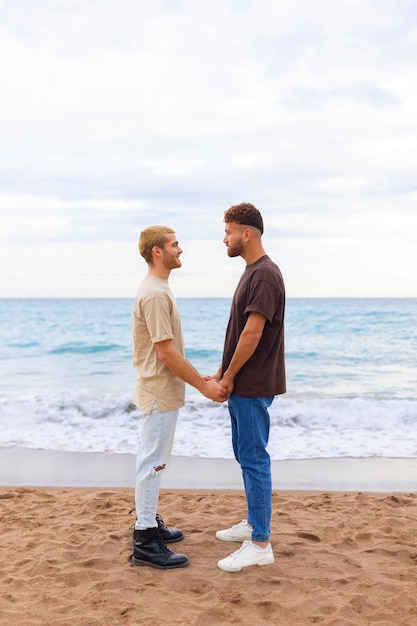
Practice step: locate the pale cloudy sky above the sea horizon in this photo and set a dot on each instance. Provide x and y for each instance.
(116, 115)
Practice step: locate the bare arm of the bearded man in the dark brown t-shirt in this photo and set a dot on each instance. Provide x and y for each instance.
(247, 344)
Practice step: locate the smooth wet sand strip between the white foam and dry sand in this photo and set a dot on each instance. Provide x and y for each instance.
(46, 468)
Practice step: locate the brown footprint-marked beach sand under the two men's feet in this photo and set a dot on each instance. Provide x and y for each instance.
(341, 556)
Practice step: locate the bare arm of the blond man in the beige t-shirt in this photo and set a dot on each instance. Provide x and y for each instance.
(184, 370)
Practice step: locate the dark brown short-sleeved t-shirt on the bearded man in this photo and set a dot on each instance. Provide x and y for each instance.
(260, 290)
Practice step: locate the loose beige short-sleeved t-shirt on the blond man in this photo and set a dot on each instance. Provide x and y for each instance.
(155, 317)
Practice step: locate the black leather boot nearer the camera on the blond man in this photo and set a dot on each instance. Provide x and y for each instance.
(150, 549)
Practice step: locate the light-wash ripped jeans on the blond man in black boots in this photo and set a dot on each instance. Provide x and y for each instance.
(158, 430)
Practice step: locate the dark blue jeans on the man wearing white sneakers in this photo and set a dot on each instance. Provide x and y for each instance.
(250, 434)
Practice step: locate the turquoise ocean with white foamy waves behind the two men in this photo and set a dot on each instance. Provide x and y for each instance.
(66, 378)
